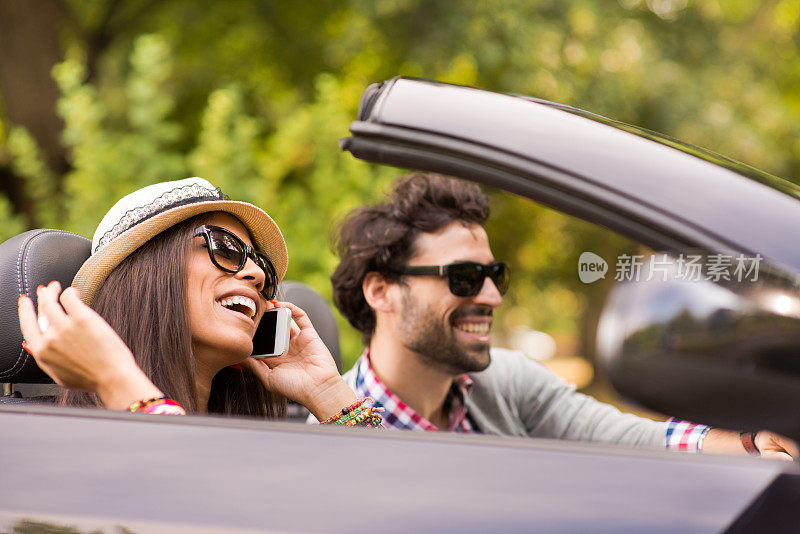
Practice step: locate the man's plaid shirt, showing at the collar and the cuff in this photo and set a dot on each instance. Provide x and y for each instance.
(679, 435)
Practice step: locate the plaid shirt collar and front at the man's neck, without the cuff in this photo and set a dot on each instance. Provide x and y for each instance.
(400, 415)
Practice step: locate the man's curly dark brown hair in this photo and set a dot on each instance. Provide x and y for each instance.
(380, 238)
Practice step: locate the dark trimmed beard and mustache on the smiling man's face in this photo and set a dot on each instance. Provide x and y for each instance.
(435, 342)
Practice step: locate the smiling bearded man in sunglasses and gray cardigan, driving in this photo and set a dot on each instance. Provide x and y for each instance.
(417, 277)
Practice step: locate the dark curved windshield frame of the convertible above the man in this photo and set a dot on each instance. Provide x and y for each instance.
(664, 193)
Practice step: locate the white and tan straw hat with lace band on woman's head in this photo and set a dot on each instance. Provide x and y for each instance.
(139, 216)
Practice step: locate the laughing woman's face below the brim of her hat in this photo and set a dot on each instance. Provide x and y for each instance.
(224, 308)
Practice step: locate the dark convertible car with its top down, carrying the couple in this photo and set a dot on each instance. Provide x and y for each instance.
(731, 344)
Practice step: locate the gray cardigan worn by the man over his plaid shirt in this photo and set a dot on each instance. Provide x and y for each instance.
(516, 396)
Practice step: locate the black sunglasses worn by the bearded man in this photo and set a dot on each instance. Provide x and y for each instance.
(465, 278)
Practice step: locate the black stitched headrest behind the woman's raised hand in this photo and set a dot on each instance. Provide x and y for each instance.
(26, 261)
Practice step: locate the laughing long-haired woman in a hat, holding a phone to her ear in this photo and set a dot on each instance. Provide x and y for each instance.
(178, 280)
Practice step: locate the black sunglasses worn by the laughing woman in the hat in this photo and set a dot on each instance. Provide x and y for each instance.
(229, 253)
